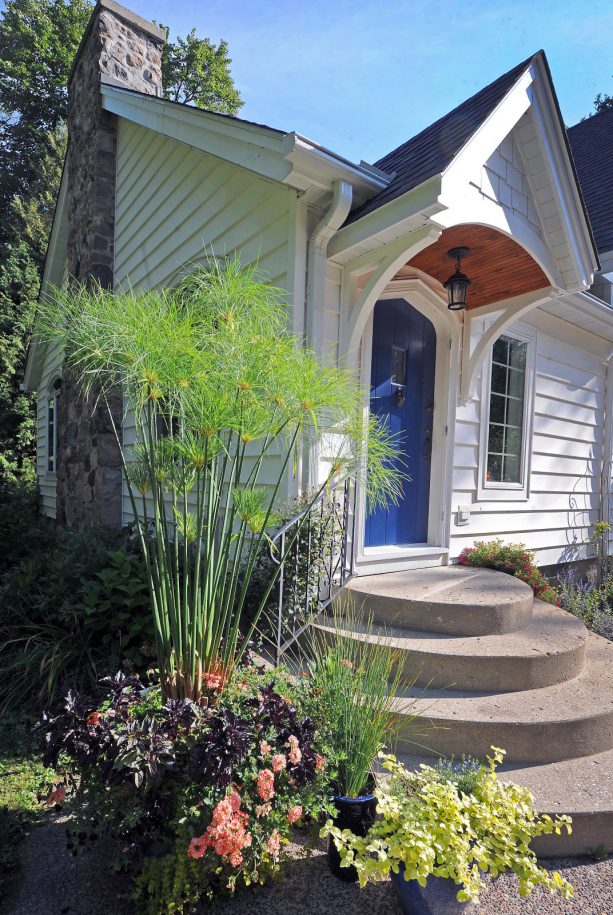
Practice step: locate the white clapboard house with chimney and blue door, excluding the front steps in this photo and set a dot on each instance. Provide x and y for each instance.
(505, 406)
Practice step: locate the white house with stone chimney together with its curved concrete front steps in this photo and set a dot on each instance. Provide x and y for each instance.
(506, 405)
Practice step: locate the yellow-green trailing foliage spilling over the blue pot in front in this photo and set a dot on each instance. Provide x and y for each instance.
(430, 827)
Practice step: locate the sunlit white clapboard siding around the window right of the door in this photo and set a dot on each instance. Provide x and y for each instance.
(566, 453)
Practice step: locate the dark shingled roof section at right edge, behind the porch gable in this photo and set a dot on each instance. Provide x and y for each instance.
(591, 142)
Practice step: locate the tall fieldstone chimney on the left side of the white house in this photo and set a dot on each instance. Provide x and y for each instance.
(123, 49)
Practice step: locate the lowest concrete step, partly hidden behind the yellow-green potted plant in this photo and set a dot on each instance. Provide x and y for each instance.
(581, 788)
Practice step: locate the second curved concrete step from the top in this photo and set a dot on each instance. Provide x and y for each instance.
(549, 650)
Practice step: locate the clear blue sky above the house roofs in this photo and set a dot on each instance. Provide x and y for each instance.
(363, 76)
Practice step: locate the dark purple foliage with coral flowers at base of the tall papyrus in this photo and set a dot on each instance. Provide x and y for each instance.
(201, 798)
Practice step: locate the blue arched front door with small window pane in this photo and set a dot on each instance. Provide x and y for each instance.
(402, 392)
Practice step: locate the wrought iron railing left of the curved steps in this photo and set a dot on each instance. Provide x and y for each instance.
(319, 562)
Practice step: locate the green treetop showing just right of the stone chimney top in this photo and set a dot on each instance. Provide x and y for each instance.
(196, 71)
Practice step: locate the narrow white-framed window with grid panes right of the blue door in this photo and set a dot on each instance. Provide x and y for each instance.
(507, 395)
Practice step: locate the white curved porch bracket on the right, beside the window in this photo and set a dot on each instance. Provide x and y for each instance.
(512, 310)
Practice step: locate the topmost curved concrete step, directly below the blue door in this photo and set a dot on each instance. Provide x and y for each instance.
(454, 600)
